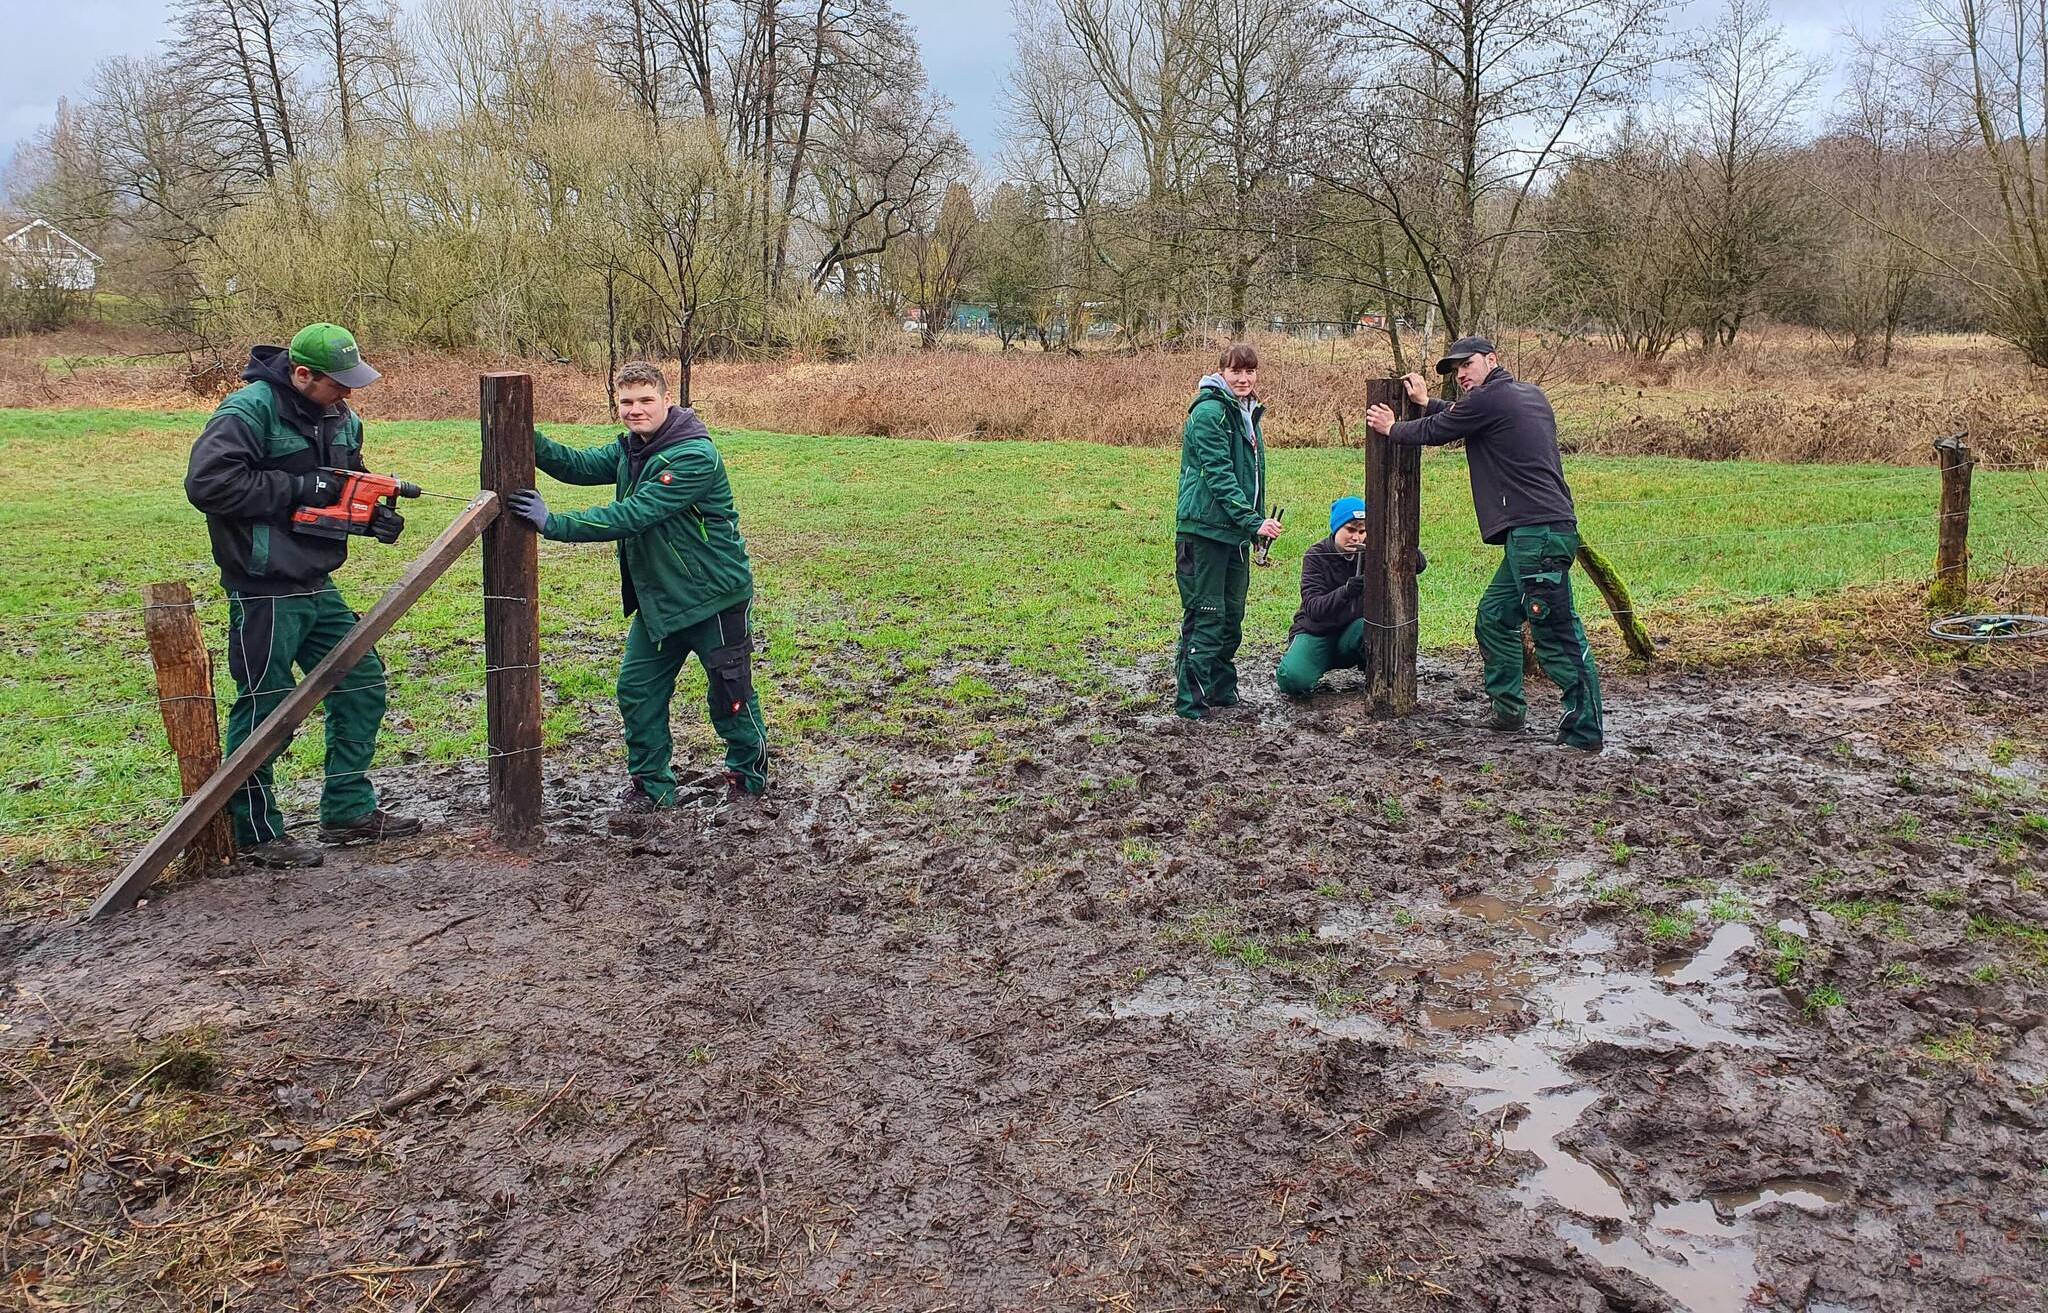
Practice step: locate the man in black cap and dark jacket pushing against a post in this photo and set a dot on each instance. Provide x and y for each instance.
(1519, 491)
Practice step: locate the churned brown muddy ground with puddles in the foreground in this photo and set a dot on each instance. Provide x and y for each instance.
(1285, 1011)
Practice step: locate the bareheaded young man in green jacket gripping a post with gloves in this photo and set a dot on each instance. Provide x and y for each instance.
(683, 577)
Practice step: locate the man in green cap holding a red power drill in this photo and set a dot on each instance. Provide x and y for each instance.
(269, 450)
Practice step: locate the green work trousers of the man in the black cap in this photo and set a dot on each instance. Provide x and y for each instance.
(1535, 585)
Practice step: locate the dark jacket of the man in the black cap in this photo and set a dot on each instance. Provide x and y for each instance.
(1510, 443)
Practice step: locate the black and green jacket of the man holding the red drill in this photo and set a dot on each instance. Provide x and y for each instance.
(245, 476)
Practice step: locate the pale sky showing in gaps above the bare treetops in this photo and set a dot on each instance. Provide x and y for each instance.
(48, 52)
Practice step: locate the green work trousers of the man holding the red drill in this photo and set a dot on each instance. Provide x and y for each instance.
(267, 638)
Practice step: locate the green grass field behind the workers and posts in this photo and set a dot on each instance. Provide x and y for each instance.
(904, 587)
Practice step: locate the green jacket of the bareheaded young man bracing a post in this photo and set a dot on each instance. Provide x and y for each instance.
(681, 556)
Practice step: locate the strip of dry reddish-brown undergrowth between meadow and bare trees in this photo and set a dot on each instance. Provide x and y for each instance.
(1781, 396)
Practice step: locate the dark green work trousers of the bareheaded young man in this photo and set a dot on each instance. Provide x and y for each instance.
(648, 683)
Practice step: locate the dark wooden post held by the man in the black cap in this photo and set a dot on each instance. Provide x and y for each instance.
(1394, 530)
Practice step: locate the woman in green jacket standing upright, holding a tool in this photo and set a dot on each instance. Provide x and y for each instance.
(1220, 515)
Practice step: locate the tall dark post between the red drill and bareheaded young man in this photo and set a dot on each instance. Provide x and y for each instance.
(511, 616)
